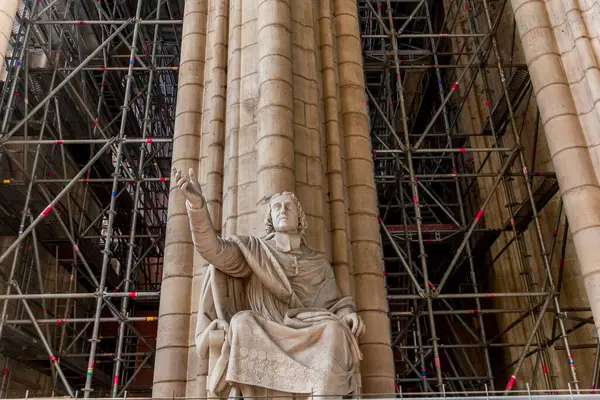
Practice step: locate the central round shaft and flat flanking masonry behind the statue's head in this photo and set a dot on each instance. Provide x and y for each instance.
(275, 140)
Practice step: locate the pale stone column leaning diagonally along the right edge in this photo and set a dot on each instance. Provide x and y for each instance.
(553, 59)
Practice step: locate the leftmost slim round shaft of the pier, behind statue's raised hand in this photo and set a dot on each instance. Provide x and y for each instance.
(170, 366)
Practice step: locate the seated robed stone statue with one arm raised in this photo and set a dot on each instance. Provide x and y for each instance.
(288, 327)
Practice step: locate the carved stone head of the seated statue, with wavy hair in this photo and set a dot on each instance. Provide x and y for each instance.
(285, 214)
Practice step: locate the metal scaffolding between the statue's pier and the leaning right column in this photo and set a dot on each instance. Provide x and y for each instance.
(424, 61)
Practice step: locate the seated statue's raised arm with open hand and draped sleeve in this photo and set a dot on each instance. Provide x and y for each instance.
(223, 254)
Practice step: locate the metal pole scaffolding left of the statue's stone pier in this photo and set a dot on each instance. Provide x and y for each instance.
(87, 114)
